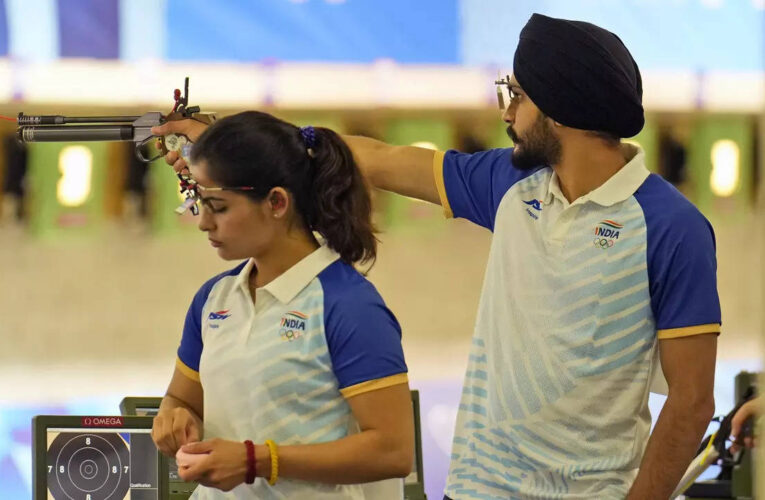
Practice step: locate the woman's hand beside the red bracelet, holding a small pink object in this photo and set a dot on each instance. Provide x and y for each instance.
(224, 467)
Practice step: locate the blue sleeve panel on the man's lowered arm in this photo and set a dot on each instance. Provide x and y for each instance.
(682, 267)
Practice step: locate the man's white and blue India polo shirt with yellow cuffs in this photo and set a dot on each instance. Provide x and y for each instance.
(575, 298)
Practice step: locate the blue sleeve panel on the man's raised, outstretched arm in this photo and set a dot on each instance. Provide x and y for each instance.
(475, 183)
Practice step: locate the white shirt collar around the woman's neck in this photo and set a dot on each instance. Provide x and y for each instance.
(286, 286)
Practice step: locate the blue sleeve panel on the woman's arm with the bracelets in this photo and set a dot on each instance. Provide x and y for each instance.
(363, 336)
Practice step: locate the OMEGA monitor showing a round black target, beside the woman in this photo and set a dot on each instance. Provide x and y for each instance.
(87, 462)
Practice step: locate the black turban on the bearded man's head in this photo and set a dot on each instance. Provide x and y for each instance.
(580, 75)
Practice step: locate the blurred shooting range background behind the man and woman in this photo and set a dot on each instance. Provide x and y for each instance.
(92, 296)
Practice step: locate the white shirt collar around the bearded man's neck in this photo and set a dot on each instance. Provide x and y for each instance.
(618, 187)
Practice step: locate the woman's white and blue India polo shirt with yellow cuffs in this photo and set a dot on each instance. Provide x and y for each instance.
(283, 367)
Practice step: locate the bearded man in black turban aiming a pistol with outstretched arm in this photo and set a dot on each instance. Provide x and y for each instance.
(597, 269)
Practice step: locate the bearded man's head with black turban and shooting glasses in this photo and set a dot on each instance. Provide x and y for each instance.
(577, 76)
